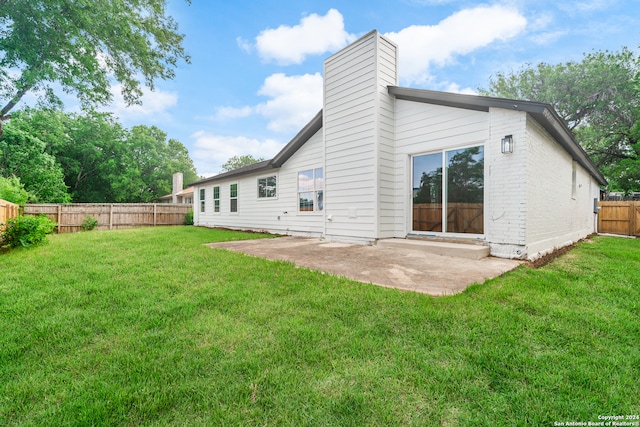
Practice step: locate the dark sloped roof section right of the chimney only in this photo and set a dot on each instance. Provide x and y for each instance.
(542, 113)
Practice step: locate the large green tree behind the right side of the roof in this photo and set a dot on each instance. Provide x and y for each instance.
(598, 99)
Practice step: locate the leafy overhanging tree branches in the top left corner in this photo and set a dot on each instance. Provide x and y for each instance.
(84, 46)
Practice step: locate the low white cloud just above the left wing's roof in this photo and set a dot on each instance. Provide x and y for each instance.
(210, 151)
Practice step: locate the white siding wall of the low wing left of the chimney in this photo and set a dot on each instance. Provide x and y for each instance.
(277, 215)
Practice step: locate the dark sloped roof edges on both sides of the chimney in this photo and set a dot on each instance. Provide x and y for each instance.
(542, 113)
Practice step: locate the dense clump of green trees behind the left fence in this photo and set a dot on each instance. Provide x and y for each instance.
(101, 161)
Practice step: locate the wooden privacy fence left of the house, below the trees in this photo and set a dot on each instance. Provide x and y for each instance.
(111, 216)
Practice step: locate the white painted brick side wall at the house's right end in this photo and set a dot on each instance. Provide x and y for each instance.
(555, 216)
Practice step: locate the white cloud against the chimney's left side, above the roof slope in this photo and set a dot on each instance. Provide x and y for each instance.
(294, 100)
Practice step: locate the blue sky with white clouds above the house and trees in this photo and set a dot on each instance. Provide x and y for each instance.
(255, 76)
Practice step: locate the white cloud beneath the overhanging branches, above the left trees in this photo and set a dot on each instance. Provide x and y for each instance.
(154, 104)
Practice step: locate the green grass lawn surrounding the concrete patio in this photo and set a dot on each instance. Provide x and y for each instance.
(149, 326)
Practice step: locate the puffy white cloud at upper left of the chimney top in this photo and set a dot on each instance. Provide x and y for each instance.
(314, 35)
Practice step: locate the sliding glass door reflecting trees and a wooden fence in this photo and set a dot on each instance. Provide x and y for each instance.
(448, 191)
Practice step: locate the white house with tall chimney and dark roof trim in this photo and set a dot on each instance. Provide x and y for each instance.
(381, 161)
